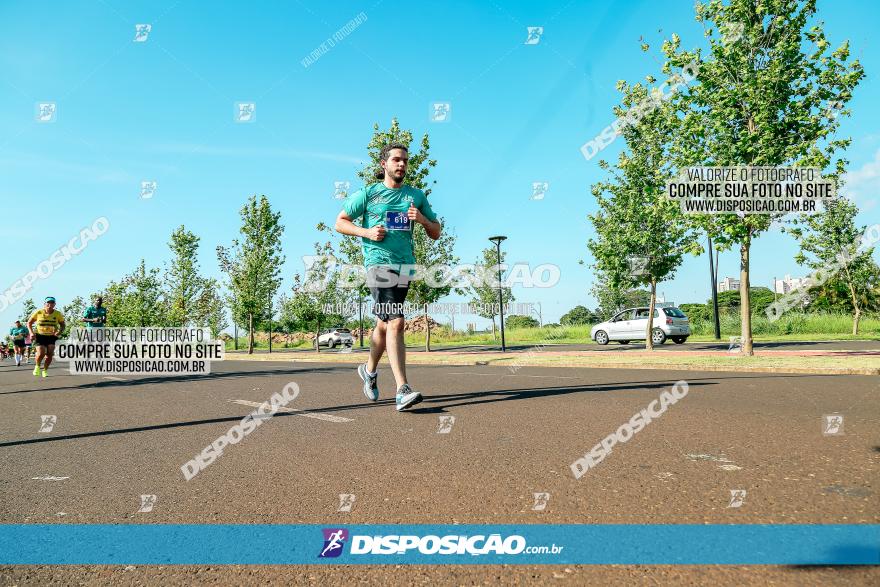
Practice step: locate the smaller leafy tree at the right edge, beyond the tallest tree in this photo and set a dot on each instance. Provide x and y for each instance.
(831, 239)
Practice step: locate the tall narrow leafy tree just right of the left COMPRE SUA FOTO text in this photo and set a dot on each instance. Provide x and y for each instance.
(253, 264)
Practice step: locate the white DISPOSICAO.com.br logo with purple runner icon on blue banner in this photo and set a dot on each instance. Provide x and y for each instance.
(335, 538)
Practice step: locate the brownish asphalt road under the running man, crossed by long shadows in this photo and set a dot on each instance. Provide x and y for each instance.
(513, 435)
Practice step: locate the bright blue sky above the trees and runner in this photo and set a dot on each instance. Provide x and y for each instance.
(162, 110)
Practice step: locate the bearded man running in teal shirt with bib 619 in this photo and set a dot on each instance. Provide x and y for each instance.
(388, 211)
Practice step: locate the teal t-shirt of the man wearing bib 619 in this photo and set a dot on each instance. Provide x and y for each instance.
(377, 204)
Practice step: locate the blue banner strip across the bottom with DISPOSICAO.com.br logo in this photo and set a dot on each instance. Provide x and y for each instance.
(185, 544)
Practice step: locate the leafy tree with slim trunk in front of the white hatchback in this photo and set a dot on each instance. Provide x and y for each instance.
(641, 235)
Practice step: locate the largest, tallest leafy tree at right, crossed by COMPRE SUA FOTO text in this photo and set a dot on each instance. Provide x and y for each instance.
(773, 95)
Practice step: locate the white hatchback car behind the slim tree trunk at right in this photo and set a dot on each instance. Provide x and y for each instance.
(631, 324)
